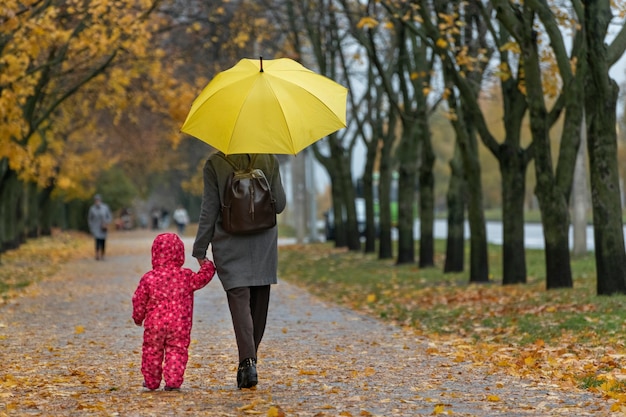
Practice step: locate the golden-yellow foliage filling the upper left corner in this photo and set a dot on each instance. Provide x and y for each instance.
(89, 34)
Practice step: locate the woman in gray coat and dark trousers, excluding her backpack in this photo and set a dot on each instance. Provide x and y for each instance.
(246, 264)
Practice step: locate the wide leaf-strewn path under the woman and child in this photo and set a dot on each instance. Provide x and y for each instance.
(68, 347)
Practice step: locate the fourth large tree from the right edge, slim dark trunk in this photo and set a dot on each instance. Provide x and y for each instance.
(460, 37)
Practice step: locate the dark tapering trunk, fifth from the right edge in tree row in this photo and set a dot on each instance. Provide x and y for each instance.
(455, 244)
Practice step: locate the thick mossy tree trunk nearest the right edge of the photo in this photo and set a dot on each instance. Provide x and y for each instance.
(602, 143)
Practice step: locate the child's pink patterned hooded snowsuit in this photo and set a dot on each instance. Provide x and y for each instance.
(164, 299)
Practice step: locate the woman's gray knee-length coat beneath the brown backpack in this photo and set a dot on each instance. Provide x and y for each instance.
(241, 260)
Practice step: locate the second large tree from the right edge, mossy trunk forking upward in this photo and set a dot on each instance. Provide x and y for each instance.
(553, 186)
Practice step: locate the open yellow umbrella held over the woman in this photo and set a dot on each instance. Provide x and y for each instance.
(267, 106)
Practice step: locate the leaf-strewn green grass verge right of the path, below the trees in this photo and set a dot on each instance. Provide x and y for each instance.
(570, 335)
